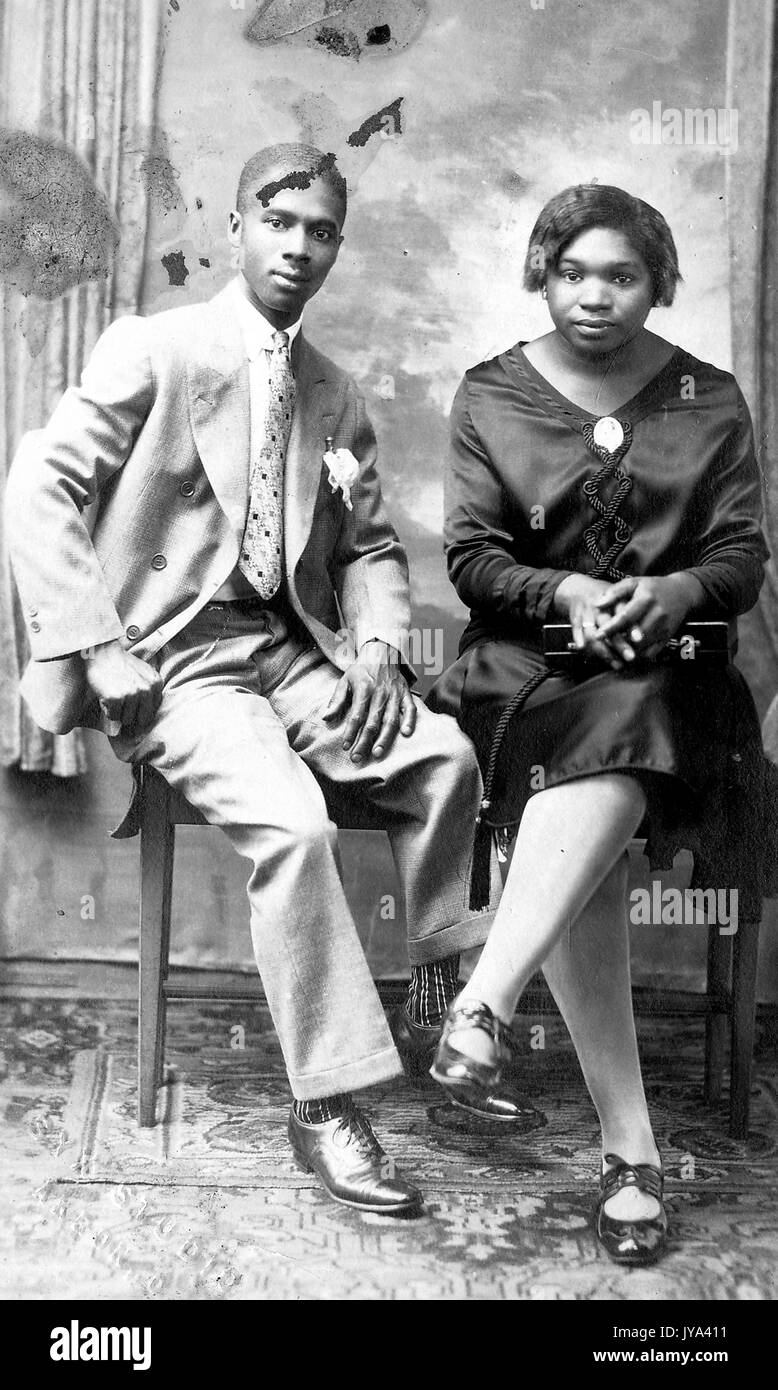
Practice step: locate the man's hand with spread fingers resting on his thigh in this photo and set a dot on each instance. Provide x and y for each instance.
(379, 700)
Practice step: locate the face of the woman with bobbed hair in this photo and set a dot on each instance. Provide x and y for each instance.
(601, 293)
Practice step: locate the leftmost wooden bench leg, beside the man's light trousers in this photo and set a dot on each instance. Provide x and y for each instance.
(156, 883)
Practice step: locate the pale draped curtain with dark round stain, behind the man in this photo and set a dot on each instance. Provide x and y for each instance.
(78, 77)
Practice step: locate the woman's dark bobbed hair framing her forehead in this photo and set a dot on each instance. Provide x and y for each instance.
(583, 206)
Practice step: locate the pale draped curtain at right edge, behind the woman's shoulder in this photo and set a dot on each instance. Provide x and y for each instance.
(752, 199)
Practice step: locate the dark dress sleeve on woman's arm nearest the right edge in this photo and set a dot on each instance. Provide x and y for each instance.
(731, 548)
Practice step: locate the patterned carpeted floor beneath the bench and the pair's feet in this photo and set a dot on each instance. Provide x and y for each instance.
(209, 1204)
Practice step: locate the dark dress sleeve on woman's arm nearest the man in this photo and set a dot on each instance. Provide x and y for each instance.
(483, 566)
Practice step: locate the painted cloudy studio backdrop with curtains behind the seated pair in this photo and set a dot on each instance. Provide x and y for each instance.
(124, 126)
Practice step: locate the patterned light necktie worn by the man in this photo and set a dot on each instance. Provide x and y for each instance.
(263, 539)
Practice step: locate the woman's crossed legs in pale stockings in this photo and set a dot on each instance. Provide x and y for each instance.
(563, 906)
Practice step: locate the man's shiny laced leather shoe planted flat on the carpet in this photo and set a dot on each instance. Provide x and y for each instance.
(351, 1164)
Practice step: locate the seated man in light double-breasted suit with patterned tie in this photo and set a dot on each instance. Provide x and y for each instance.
(235, 616)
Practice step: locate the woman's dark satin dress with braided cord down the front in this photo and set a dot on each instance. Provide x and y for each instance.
(518, 518)
